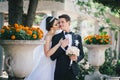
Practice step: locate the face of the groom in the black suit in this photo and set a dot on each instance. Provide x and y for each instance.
(64, 25)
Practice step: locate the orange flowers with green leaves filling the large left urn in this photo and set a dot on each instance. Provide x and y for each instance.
(20, 32)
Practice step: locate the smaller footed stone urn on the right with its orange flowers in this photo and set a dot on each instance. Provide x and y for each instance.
(97, 44)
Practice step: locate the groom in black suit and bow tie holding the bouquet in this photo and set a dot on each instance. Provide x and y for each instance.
(63, 70)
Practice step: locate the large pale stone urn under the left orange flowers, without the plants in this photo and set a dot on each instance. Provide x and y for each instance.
(19, 56)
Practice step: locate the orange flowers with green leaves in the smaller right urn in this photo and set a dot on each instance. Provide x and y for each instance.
(102, 38)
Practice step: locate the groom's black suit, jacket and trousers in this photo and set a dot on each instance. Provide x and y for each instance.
(63, 71)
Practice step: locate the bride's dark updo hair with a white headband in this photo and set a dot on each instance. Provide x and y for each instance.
(49, 22)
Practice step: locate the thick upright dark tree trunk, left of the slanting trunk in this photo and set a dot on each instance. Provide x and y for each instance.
(15, 9)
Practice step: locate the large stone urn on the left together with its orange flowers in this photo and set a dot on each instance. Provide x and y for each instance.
(19, 43)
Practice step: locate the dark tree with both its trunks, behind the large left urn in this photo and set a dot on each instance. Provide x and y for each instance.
(16, 13)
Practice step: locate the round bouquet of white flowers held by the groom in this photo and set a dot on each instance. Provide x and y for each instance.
(73, 50)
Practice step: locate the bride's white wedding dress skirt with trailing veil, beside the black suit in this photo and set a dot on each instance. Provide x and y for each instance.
(45, 67)
